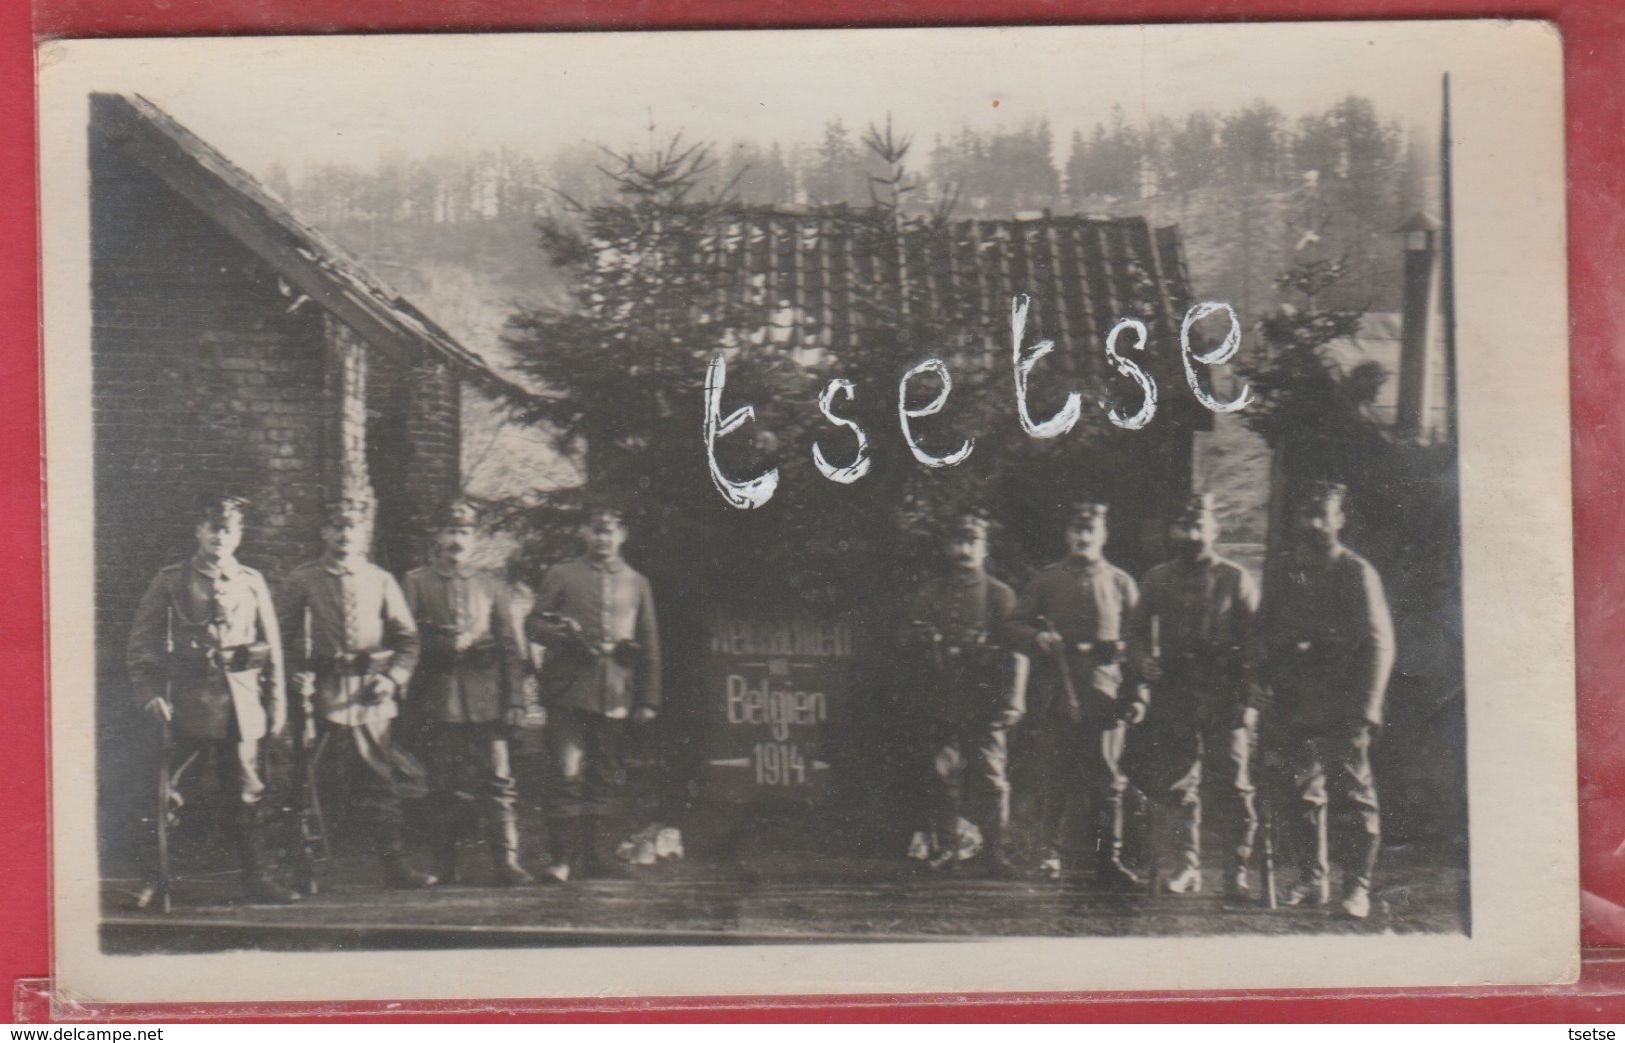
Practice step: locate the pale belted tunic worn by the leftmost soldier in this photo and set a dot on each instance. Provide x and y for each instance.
(207, 607)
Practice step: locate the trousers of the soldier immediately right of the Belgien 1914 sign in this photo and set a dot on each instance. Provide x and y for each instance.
(971, 761)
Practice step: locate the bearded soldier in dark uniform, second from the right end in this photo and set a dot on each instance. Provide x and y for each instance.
(1194, 639)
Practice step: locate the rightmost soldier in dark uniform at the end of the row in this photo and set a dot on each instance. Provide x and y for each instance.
(1330, 647)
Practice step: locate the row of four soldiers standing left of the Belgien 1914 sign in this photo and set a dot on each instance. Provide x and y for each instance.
(222, 667)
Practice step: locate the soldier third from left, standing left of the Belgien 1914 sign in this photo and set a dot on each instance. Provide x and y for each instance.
(470, 688)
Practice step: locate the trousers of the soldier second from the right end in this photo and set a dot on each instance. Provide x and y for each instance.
(1181, 755)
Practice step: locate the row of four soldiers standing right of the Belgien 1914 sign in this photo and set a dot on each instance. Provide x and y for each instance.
(1150, 685)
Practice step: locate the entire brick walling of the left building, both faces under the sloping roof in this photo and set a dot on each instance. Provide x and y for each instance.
(212, 373)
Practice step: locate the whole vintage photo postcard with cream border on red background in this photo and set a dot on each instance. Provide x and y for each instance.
(802, 513)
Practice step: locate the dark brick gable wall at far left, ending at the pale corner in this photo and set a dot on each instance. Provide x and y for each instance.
(206, 376)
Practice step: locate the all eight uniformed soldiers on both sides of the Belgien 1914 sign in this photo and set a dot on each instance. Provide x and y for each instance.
(1083, 669)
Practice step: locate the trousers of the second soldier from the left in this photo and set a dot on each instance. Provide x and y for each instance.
(378, 776)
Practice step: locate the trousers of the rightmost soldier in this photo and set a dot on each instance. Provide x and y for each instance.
(1332, 777)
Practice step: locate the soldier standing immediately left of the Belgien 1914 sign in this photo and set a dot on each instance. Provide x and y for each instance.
(596, 617)
